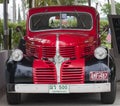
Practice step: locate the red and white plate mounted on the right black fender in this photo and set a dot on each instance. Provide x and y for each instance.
(98, 76)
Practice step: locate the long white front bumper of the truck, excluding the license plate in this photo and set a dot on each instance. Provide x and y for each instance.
(73, 88)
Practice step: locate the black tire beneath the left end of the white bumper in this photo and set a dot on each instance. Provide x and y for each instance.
(13, 98)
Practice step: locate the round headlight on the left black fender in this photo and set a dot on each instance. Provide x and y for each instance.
(17, 55)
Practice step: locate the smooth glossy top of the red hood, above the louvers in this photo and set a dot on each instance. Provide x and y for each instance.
(65, 39)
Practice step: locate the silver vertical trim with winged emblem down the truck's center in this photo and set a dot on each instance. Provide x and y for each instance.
(58, 59)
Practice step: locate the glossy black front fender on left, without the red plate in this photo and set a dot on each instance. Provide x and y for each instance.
(19, 72)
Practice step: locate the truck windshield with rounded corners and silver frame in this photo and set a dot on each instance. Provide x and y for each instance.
(60, 21)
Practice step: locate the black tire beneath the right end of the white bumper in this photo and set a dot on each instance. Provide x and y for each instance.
(109, 97)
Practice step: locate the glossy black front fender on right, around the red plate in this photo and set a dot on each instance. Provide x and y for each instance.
(107, 64)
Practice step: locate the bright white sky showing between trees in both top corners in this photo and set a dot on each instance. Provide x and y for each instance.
(18, 2)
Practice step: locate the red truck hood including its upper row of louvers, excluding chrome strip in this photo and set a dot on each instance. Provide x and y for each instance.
(70, 44)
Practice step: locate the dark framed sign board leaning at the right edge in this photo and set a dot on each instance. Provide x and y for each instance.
(114, 22)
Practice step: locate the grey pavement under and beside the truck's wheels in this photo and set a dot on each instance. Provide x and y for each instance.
(62, 100)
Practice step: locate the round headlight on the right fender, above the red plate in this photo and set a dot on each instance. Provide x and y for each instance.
(100, 53)
